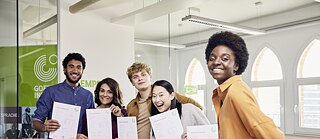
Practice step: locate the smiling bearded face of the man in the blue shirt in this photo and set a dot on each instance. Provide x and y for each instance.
(73, 71)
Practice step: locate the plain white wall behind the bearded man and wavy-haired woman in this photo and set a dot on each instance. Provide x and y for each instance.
(108, 48)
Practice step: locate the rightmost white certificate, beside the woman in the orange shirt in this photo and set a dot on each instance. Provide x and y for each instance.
(203, 132)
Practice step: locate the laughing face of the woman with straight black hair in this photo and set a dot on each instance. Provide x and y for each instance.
(161, 98)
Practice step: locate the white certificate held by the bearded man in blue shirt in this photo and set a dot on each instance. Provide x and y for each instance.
(68, 117)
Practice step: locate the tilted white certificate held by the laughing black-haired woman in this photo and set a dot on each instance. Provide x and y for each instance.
(167, 125)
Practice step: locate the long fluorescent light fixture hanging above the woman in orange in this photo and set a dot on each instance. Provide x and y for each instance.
(223, 25)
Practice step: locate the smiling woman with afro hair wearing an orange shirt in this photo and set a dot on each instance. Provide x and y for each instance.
(238, 113)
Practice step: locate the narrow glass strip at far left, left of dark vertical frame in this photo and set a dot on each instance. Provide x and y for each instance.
(8, 68)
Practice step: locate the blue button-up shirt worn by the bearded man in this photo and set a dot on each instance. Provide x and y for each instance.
(63, 93)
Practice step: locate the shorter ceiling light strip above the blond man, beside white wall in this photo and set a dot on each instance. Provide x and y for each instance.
(160, 44)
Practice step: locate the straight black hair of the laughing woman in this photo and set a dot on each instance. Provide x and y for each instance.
(174, 103)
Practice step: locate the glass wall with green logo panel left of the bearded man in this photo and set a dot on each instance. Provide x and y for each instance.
(28, 55)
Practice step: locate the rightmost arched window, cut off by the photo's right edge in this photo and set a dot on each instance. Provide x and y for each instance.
(309, 86)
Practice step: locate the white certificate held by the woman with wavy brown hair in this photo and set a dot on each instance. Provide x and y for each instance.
(99, 123)
